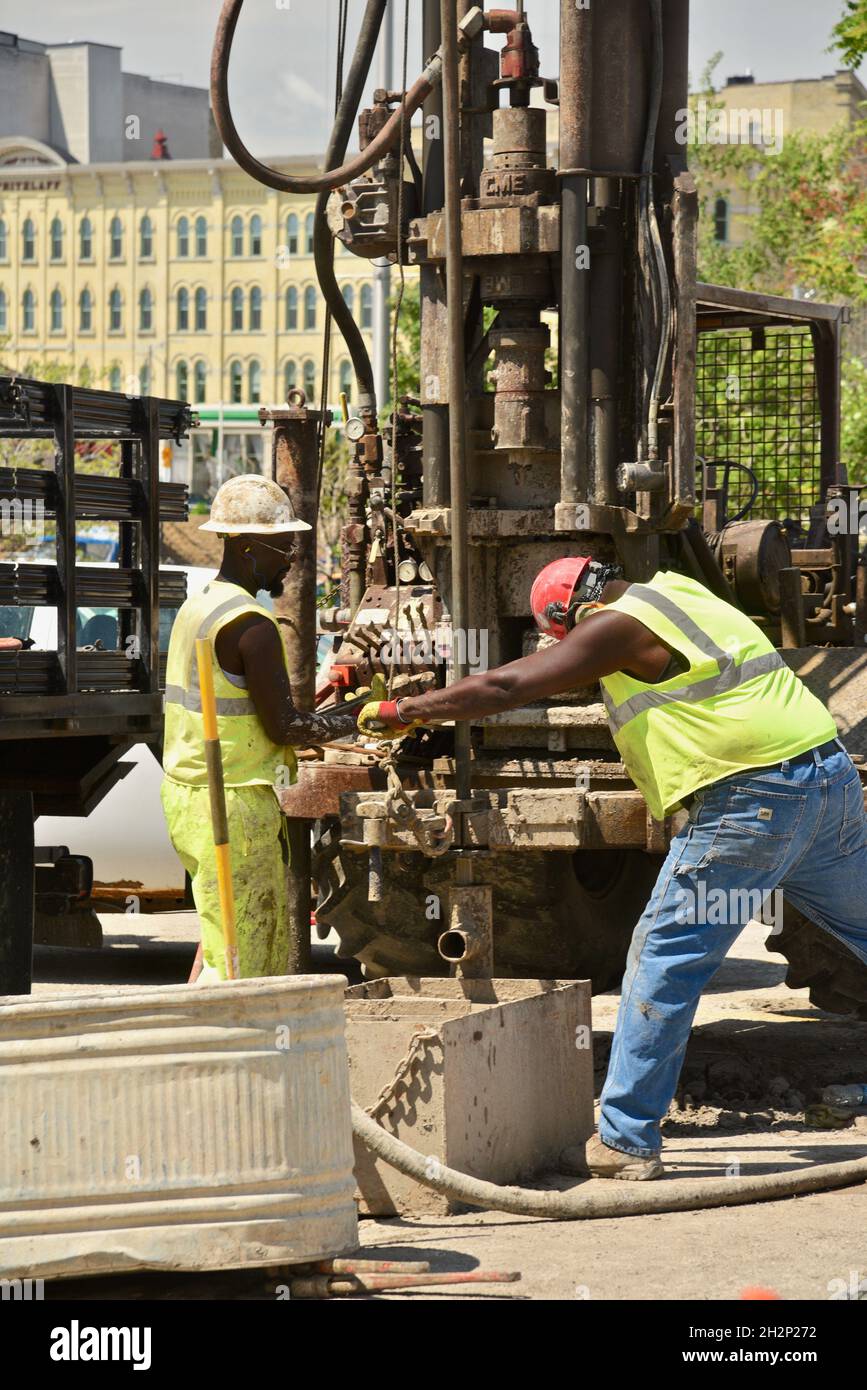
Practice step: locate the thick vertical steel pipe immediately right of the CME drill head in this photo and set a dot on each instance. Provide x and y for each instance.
(576, 58)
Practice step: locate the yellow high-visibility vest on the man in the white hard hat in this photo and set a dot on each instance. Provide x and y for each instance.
(249, 757)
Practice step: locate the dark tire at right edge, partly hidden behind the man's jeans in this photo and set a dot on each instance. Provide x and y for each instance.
(818, 963)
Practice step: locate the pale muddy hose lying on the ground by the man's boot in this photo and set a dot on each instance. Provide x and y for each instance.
(619, 1199)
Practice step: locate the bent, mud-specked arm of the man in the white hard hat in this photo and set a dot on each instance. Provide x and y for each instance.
(252, 648)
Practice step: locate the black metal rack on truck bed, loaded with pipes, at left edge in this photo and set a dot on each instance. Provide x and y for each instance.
(67, 717)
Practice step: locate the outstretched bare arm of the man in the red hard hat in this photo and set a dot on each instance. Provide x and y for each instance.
(600, 647)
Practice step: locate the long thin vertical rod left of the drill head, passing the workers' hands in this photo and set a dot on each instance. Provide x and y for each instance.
(458, 387)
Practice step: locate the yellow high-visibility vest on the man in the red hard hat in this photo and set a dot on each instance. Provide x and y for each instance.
(738, 705)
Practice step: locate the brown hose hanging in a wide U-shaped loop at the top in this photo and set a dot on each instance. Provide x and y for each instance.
(313, 183)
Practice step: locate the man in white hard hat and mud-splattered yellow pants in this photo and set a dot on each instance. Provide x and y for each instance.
(258, 726)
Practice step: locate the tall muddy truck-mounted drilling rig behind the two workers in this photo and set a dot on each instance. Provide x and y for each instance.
(572, 400)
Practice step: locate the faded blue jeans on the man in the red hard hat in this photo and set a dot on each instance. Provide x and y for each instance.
(801, 829)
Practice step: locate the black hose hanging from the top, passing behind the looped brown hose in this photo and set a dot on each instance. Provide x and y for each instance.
(323, 241)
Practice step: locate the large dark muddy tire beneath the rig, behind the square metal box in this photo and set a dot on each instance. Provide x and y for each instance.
(556, 915)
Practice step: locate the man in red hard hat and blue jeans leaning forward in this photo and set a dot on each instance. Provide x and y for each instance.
(707, 717)
